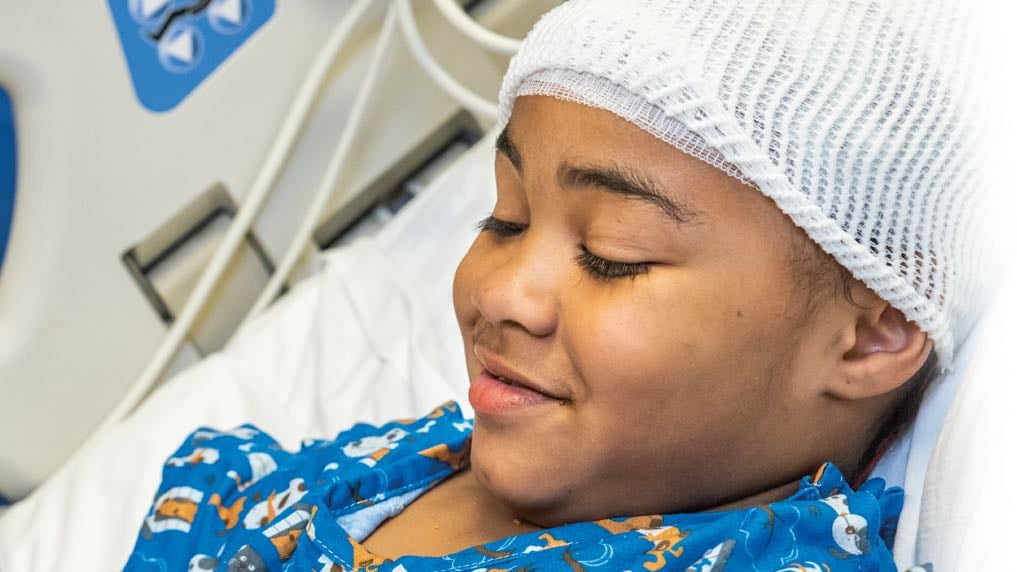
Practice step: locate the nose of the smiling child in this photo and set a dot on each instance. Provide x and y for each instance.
(520, 287)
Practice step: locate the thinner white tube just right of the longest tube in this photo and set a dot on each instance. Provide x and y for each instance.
(333, 173)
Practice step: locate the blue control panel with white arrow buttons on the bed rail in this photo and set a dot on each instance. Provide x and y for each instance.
(172, 46)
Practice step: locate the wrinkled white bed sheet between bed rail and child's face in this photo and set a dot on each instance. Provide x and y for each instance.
(371, 337)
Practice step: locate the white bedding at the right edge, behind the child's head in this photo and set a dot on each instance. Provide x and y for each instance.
(968, 511)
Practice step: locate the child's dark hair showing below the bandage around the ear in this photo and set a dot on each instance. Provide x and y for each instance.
(819, 274)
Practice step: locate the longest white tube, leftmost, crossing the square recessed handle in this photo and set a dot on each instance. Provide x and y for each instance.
(246, 216)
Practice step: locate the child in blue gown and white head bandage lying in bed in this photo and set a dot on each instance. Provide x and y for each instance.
(728, 251)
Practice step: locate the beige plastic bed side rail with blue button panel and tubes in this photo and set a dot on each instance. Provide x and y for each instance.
(144, 239)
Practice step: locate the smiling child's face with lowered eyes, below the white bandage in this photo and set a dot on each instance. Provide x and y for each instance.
(674, 381)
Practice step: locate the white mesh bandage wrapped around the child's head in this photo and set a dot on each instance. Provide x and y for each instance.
(849, 115)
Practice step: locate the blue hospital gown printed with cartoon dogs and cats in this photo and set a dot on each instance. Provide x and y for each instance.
(237, 501)
